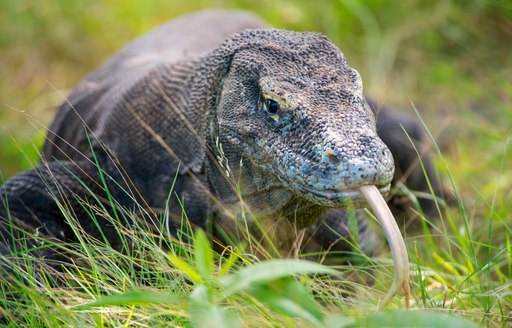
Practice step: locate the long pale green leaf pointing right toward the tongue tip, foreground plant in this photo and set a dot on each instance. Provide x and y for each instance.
(267, 271)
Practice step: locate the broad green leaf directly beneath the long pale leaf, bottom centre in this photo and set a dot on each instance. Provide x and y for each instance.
(290, 298)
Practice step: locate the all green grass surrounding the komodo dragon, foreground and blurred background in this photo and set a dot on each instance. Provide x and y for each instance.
(451, 60)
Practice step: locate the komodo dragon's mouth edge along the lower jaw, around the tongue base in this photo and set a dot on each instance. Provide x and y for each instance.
(352, 197)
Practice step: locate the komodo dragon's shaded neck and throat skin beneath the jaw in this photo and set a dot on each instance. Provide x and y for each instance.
(246, 189)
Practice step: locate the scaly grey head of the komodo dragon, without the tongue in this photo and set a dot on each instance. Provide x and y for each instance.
(291, 105)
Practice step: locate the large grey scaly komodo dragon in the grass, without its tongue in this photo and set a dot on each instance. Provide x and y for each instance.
(239, 120)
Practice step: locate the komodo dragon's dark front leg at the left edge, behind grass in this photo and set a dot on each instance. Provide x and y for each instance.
(37, 205)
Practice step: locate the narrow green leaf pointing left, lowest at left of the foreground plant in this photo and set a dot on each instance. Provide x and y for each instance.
(137, 297)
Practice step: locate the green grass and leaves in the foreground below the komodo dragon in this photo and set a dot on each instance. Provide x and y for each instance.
(161, 280)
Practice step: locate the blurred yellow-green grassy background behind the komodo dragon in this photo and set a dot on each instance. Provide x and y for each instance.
(451, 59)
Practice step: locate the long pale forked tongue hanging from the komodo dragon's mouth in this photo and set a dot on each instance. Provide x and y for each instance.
(395, 241)
